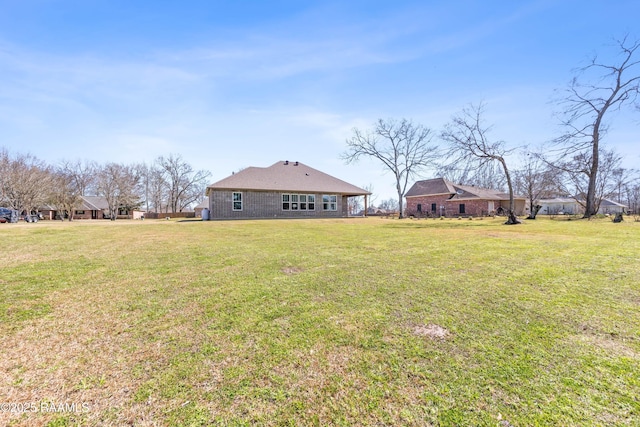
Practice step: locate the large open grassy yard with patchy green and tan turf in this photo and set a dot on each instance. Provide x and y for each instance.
(320, 322)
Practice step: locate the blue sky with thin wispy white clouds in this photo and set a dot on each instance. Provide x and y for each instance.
(247, 83)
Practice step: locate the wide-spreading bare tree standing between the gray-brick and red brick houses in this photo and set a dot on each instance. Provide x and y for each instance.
(403, 148)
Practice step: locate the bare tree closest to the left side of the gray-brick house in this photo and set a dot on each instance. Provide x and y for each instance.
(185, 185)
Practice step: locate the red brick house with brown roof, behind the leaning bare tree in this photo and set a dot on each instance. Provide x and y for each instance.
(440, 197)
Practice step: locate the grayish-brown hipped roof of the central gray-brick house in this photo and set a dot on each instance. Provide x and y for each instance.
(286, 176)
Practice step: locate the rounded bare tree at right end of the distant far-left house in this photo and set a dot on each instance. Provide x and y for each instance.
(118, 184)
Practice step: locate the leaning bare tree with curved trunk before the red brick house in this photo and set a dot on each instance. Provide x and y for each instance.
(468, 141)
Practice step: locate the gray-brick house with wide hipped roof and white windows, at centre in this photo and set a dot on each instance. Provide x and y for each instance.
(282, 190)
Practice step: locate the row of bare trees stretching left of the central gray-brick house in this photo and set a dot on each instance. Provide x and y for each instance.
(167, 185)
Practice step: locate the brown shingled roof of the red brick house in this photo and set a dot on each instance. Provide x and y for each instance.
(439, 186)
